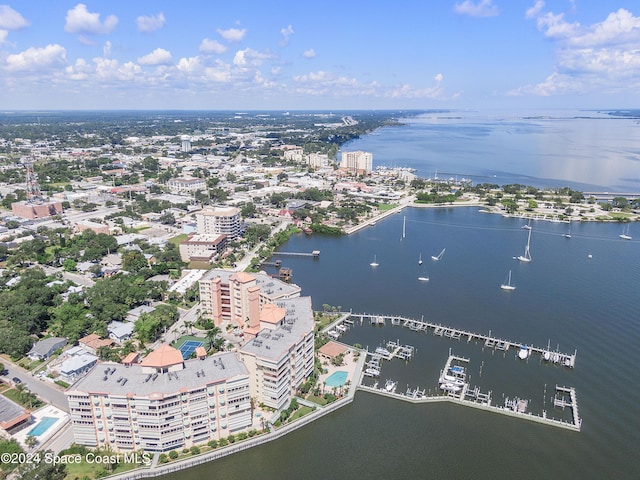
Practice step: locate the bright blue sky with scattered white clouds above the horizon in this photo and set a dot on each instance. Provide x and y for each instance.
(292, 54)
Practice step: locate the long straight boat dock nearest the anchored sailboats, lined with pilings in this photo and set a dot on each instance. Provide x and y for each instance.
(565, 359)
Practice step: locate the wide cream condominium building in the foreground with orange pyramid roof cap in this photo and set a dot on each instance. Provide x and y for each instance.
(162, 403)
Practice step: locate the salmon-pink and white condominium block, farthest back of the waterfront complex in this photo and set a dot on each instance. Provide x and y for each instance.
(238, 297)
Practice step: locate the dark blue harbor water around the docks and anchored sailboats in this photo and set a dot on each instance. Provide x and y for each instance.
(563, 298)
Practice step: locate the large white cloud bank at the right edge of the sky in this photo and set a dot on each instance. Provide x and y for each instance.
(604, 56)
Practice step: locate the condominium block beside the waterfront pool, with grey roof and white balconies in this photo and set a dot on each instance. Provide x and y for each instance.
(279, 351)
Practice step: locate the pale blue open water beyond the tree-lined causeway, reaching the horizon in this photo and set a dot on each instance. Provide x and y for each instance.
(584, 150)
